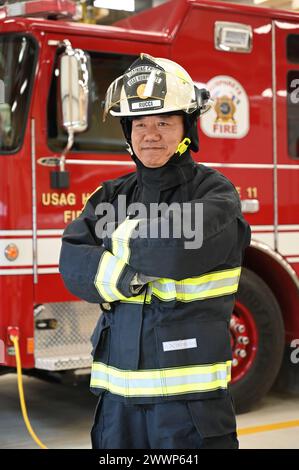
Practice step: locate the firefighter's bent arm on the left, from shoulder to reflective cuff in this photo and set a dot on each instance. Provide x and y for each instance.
(88, 269)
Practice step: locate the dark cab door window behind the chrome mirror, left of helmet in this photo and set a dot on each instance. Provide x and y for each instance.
(100, 136)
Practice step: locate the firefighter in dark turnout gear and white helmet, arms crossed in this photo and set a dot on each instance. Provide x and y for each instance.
(166, 279)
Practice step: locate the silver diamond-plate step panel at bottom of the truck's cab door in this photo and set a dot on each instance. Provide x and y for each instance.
(62, 335)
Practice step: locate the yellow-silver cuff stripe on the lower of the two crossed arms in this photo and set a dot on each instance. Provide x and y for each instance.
(109, 271)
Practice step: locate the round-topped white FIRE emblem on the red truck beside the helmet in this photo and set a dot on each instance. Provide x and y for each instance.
(229, 118)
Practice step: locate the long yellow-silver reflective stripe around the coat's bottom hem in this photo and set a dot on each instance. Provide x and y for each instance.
(161, 382)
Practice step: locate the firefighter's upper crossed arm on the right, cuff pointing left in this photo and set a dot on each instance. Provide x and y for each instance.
(223, 231)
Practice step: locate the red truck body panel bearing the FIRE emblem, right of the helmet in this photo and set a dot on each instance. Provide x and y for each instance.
(229, 49)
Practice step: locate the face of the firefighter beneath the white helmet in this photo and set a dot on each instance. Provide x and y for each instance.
(155, 138)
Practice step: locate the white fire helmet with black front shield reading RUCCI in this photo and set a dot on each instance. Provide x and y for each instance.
(154, 86)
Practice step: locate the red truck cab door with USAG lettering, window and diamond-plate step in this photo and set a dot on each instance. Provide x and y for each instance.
(65, 325)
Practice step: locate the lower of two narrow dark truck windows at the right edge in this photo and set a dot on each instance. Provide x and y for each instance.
(293, 112)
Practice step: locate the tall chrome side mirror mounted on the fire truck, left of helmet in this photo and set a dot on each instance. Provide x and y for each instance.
(74, 77)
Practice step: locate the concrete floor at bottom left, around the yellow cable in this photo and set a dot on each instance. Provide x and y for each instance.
(60, 415)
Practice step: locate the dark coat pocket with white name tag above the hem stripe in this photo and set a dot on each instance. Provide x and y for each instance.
(194, 342)
